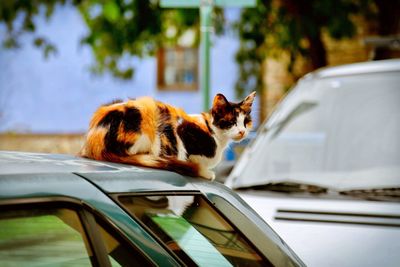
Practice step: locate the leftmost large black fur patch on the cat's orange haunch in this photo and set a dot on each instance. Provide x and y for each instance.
(113, 119)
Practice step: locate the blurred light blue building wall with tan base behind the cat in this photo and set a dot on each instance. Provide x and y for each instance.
(46, 105)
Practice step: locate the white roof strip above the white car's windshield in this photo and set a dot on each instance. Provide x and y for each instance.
(378, 66)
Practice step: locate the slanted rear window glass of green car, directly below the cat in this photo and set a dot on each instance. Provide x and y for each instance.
(193, 230)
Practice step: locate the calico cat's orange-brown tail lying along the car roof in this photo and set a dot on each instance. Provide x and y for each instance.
(146, 160)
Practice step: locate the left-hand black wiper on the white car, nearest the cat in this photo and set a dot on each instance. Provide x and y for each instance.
(287, 187)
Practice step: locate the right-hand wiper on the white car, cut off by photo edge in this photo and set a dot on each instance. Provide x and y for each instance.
(383, 194)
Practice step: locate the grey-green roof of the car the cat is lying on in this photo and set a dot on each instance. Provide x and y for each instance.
(27, 177)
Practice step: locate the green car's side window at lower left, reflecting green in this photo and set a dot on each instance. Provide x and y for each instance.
(44, 236)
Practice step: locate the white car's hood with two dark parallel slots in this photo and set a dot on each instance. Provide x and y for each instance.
(334, 232)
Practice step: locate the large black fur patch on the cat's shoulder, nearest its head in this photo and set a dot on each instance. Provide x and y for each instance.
(195, 140)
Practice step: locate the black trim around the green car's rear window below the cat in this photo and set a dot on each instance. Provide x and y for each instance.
(116, 197)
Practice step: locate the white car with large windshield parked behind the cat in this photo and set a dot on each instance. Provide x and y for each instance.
(324, 169)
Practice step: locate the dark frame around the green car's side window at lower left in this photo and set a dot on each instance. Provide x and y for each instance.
(90, 219)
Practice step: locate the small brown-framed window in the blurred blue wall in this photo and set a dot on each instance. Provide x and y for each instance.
(177, 69)
